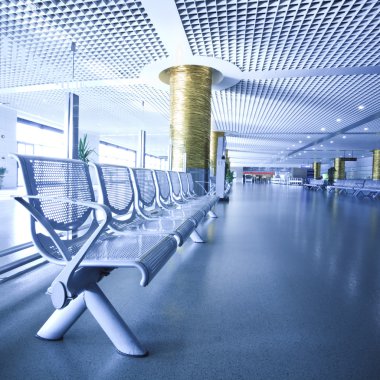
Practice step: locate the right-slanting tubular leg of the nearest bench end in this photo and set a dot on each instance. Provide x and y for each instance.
(111, 322)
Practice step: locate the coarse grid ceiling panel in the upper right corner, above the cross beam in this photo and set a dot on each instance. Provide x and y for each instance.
(283, 34)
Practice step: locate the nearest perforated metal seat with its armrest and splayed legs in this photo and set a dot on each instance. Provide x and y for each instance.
(60, 198)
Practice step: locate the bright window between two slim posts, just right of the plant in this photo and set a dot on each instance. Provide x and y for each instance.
(116, 155)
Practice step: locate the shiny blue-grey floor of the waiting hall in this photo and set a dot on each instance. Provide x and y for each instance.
(288, 286)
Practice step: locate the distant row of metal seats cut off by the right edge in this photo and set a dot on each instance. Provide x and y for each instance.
(357, 187)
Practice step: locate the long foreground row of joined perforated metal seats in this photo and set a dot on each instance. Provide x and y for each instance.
(143, 217)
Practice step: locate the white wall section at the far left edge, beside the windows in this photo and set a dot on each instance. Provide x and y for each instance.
(8, 144)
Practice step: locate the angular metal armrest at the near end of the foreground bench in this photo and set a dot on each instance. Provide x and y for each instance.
(60, 288)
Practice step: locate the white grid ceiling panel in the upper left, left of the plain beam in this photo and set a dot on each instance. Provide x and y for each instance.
(114, 39)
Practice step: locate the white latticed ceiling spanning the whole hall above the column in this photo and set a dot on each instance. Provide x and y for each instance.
(308, 71)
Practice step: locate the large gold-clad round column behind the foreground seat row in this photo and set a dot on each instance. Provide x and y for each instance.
(190, 116)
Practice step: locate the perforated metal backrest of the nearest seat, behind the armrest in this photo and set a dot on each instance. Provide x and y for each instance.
(64, 179)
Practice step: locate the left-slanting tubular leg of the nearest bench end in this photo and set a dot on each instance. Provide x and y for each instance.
(61, 320)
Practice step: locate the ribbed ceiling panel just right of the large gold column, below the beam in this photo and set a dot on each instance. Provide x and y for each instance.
(295, 105)
